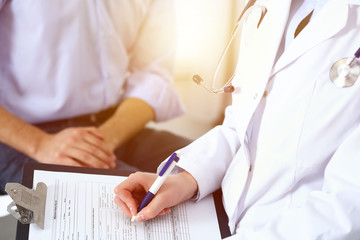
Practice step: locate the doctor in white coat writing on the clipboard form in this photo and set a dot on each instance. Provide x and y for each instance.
(287, 156)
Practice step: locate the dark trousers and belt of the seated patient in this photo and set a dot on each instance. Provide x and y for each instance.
(143, 152)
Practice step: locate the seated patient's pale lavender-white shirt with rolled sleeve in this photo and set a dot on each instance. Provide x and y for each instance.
(60, 59)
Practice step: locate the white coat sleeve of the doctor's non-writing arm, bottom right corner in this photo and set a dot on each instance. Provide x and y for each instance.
(330, 213)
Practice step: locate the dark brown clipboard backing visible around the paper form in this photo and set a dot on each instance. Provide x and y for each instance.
(22, 231)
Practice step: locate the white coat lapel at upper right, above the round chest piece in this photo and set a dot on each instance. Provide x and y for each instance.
(329, 21)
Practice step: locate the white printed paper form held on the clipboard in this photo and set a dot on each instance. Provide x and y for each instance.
(81, 206)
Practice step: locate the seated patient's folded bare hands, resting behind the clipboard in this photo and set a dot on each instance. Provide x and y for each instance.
(80, 146)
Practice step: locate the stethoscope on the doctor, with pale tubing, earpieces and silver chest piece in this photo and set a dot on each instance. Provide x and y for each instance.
(343, 72)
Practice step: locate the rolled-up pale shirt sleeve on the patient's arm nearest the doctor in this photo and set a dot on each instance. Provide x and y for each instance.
(151, 62)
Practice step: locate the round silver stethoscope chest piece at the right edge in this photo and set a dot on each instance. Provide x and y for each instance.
(345, 72)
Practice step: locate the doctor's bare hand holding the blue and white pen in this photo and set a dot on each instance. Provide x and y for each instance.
(176, 189)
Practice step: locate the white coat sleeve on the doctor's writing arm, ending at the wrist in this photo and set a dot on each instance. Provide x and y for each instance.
(208, 158)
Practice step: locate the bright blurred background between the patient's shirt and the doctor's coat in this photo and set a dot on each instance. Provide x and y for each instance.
(203, 29)
